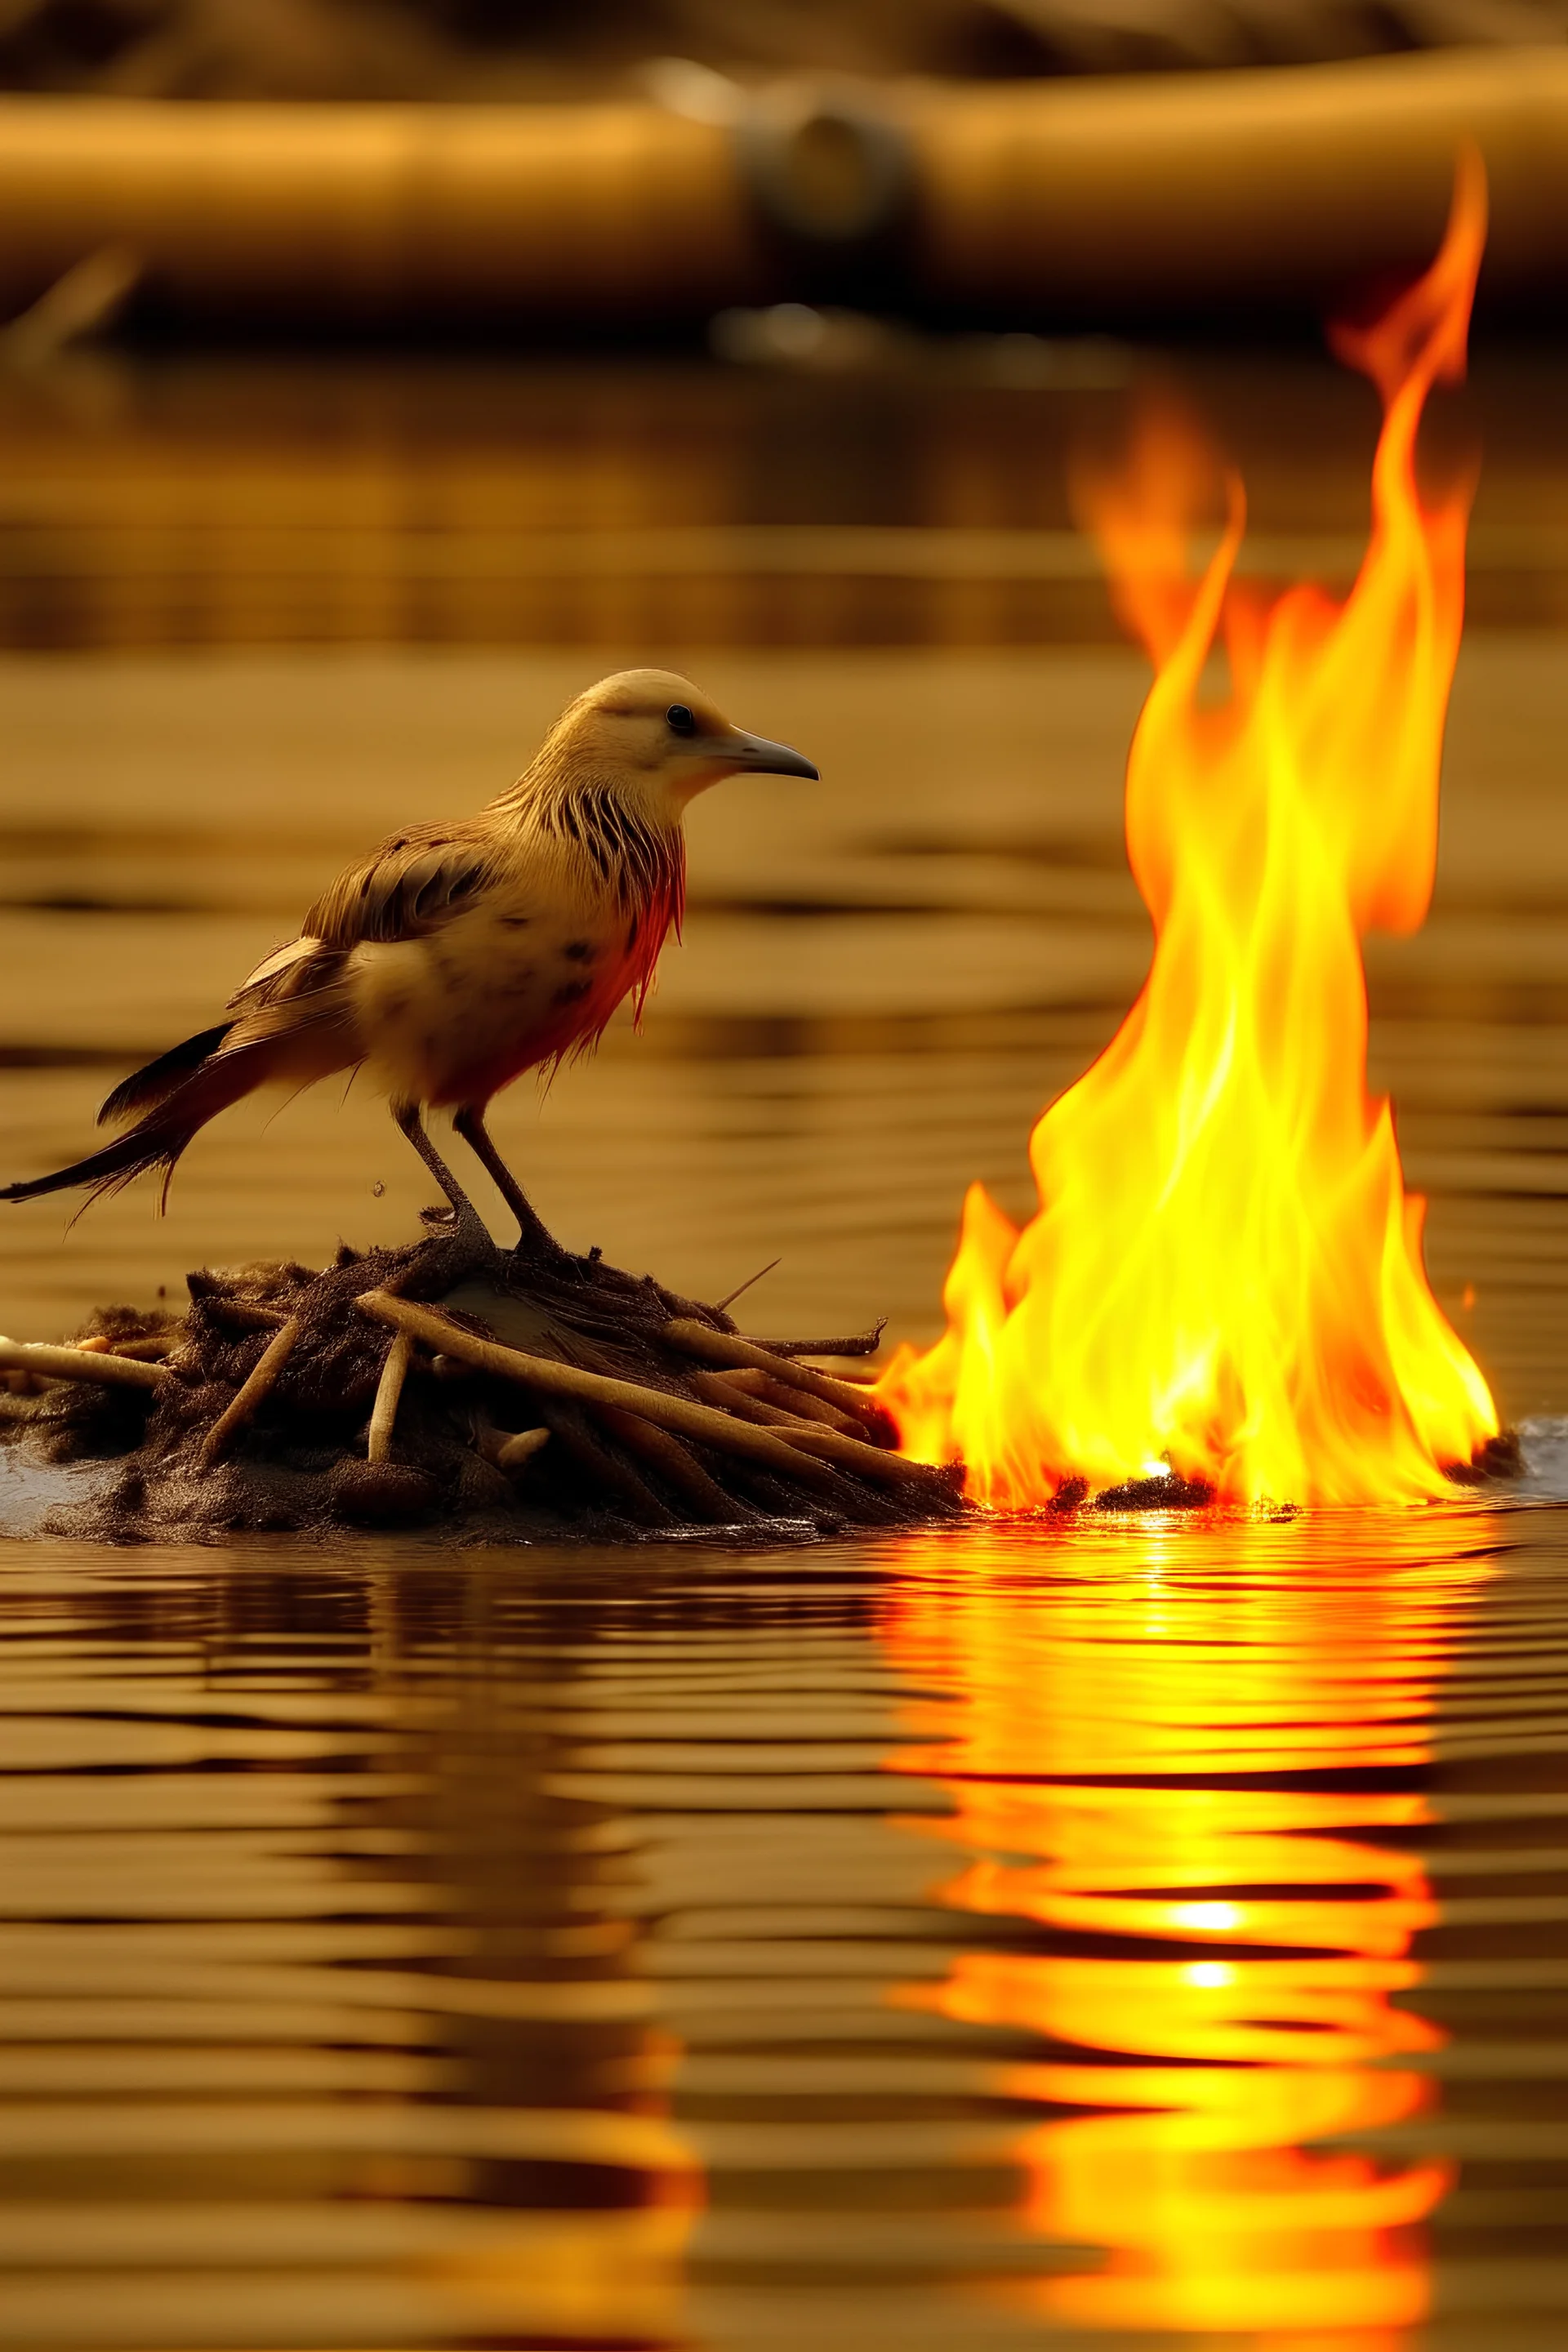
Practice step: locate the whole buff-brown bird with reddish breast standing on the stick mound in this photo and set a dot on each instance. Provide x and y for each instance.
(457, 956)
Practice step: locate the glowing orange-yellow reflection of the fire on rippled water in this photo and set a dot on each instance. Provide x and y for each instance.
(1198, 1772)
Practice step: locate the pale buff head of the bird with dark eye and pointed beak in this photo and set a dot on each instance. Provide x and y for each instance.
(655, 737)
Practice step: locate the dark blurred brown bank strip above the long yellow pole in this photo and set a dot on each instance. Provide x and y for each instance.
(570, 48)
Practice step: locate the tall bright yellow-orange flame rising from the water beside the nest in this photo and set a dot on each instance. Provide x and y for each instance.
(1226, 1274)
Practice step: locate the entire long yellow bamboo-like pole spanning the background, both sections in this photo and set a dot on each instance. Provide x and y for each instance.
(1073, 201)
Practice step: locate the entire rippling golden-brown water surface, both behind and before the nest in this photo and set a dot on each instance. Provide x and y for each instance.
(1134, 1935)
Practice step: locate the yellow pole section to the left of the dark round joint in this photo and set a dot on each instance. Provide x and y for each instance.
(359, 215)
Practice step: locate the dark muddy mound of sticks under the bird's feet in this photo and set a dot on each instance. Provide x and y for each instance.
(490, 1398)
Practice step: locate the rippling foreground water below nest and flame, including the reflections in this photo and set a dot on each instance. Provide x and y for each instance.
(1155, 1930)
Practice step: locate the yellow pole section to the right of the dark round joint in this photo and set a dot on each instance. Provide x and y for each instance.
(1282, 189)
